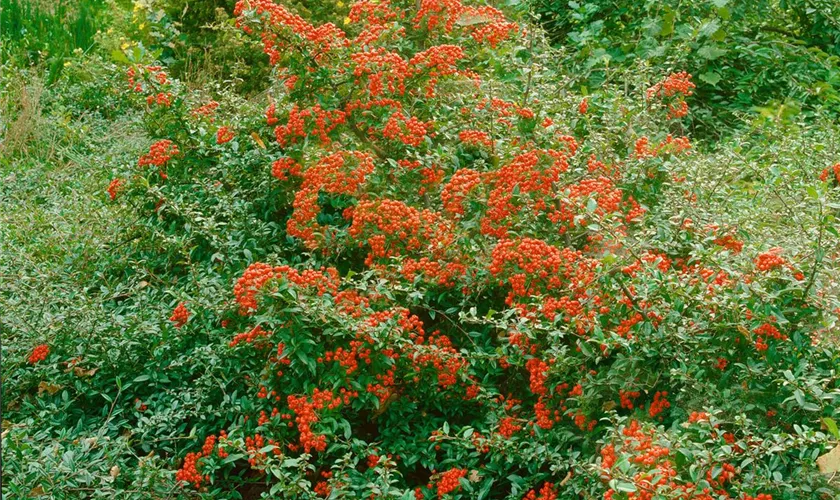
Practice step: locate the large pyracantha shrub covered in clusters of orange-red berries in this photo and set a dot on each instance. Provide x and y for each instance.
(489, 301)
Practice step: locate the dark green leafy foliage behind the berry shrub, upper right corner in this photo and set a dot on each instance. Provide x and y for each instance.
(776, 55)
